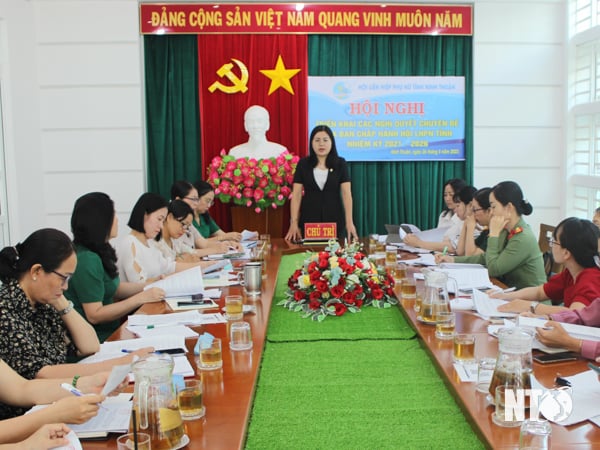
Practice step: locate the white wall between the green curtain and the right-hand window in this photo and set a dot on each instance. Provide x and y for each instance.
(520, 101)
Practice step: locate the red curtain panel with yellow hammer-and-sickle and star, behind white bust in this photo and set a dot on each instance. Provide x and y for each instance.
(237, 71)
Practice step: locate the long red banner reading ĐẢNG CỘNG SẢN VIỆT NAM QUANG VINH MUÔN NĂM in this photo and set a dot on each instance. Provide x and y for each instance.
(307, 18)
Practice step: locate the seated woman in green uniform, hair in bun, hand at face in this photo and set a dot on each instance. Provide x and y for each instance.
(512, 255)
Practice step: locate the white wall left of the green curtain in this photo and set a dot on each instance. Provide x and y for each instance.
(77, 65)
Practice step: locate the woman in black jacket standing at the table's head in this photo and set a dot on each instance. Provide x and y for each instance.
(323, 176)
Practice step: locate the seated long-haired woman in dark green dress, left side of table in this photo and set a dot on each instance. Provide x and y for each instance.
(95, 285)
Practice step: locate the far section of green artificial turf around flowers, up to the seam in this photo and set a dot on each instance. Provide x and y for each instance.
(370, 323)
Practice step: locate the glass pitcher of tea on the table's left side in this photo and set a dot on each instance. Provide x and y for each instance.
(155, 403)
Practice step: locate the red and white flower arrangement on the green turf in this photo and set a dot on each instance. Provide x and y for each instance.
(338, 280)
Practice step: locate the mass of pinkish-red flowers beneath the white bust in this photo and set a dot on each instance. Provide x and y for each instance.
(257, 184)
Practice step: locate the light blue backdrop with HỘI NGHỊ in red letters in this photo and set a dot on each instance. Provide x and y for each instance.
(391, 118)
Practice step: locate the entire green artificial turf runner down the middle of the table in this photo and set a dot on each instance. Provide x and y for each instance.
(350, 387)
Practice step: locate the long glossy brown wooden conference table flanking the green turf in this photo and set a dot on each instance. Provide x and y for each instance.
(228, 393)
